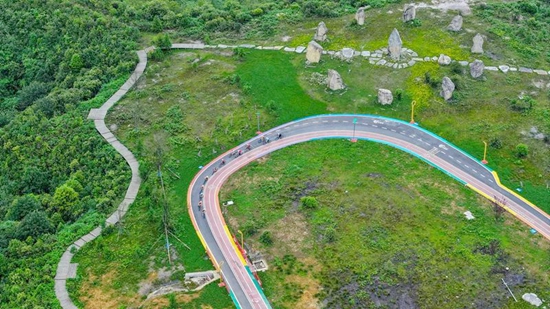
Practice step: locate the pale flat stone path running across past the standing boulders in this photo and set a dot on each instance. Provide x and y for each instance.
(375, 57)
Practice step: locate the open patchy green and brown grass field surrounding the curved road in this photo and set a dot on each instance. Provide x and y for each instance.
(193, 105)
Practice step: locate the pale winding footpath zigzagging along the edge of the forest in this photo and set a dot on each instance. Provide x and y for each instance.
(66, 269)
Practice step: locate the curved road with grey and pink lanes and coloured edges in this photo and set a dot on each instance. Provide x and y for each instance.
(210, 224)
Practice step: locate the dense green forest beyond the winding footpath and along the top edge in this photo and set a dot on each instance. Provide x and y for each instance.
(59, 58)
